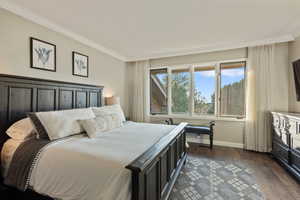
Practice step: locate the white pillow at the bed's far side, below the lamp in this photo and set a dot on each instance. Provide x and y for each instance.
(113, 109)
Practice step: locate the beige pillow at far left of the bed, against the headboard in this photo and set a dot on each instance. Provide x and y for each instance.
(21, 130)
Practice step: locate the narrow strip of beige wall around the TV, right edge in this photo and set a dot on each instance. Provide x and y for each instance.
(294, 54)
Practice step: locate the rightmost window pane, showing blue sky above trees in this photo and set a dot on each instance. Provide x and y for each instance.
(232, 95)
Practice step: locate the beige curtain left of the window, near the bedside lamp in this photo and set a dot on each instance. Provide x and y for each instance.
(139, 98)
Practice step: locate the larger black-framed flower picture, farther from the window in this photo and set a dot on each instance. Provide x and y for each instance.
(42, 55)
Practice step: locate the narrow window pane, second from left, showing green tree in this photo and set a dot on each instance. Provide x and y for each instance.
(180, 90)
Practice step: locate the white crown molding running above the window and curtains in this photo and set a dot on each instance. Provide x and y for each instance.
(213, 48)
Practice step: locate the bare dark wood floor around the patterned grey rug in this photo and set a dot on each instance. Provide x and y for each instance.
(275, 182)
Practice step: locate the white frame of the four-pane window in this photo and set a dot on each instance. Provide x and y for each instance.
(190, 114)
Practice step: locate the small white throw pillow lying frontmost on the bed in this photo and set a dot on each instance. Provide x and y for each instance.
(92, 127)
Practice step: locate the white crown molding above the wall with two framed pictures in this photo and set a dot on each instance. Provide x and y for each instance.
(5, 4)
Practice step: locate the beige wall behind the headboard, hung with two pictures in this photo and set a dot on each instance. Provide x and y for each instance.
(14, 56)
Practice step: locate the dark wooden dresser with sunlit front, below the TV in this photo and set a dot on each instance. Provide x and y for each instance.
(286, 140)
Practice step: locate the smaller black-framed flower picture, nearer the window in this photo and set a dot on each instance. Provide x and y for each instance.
(80, 64)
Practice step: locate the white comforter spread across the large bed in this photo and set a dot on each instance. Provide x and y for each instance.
(94, 169)
